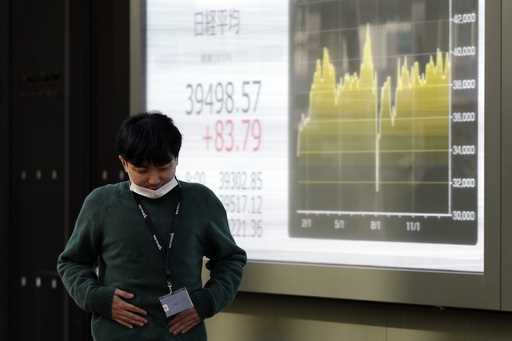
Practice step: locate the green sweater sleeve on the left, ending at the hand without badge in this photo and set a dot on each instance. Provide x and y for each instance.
(76, 264)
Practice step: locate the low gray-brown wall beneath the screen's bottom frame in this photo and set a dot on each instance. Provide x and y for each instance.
(260, 317)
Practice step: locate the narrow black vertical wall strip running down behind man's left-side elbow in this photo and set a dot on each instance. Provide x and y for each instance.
(77, 142)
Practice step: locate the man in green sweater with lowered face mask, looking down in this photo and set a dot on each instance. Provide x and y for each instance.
(114, 265)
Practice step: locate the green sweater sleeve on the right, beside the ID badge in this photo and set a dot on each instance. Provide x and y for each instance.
(226, 263)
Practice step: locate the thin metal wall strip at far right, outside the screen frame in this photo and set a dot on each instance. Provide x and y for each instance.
(506, 175)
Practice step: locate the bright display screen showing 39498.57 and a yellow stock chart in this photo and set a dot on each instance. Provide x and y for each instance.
(339, 132)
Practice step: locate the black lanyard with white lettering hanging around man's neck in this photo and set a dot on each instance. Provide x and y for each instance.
(164, 251)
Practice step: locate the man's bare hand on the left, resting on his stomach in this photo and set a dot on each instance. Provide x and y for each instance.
(125, 313)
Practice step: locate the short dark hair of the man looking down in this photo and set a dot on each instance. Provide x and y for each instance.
(148, 139)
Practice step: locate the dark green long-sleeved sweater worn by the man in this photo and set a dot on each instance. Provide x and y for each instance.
(110, 233)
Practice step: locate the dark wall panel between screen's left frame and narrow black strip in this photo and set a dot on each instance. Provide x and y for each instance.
(111, 93)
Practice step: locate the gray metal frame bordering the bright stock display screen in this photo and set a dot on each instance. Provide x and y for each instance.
(437, 288)
